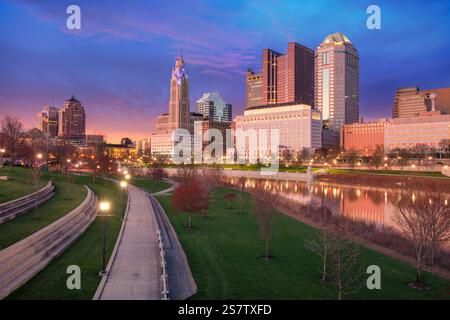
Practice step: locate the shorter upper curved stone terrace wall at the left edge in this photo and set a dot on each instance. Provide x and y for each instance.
(11, 209)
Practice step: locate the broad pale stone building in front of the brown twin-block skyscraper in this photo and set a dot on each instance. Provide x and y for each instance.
(299, 127)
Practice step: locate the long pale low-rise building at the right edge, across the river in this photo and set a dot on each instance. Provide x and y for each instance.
(427, 128)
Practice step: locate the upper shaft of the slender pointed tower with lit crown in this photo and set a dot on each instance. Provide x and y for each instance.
(179, 97)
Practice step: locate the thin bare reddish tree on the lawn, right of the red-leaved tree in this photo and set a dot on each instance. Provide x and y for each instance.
(263, 208)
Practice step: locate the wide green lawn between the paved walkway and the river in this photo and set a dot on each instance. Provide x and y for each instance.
(224, 253)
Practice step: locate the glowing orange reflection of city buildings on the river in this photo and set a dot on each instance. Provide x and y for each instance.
(369, 204)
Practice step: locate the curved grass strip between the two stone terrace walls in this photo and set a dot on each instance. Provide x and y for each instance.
(68, 196)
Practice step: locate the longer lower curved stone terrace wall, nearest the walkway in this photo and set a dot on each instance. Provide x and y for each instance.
(24, 259)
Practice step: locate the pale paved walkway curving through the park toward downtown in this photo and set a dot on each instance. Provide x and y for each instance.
(135, 272)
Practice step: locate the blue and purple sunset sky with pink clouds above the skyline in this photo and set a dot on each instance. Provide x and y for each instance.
(119, 64)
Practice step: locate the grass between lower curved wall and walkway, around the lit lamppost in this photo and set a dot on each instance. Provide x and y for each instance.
(86, 252)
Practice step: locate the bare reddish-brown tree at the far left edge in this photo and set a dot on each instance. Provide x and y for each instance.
(12, 130)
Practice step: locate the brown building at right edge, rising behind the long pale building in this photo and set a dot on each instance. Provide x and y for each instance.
(409, 102)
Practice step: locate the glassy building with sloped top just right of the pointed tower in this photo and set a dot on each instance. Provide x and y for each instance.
(212, 106)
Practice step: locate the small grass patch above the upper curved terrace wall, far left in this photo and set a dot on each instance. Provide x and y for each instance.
(19, 184)
